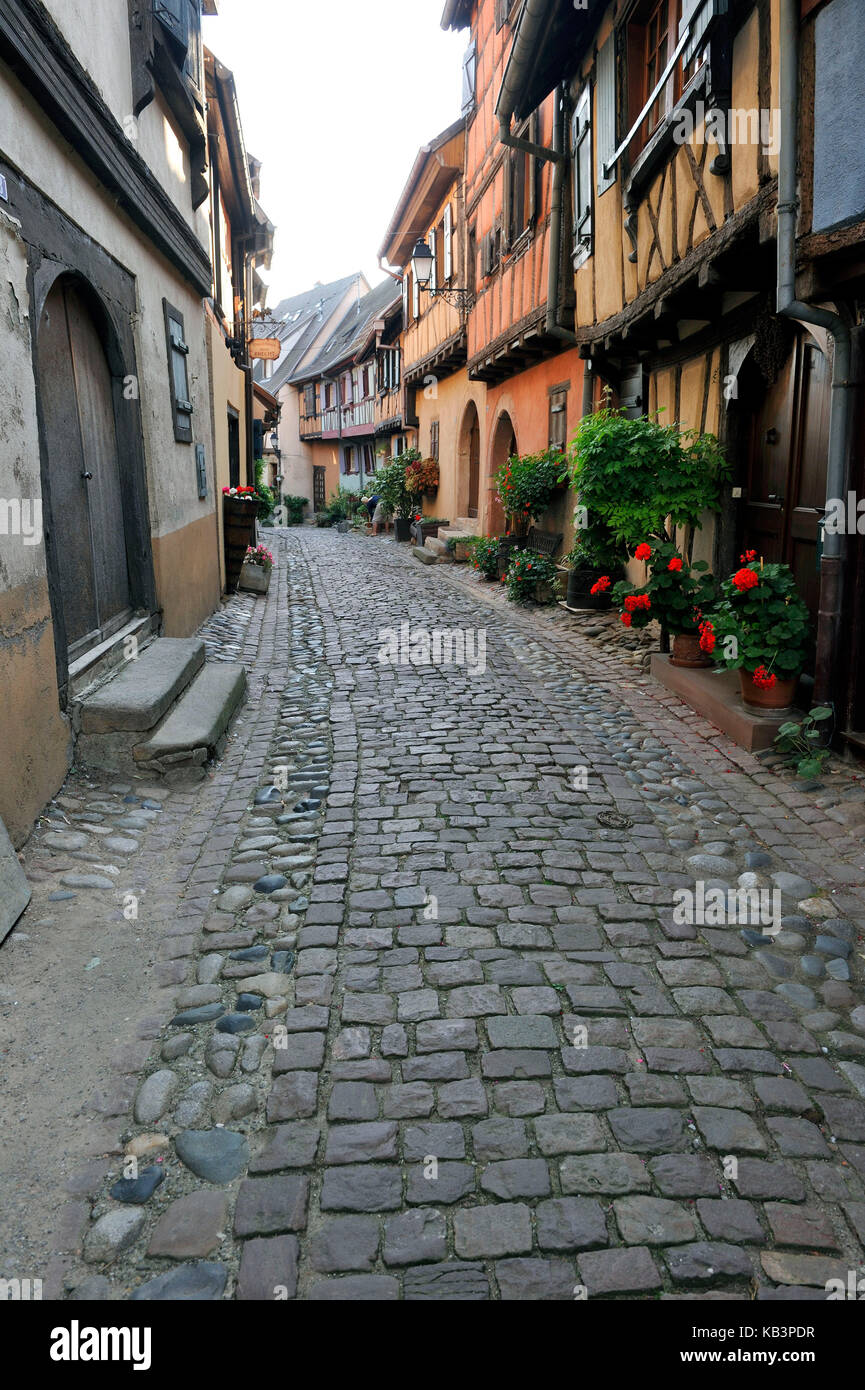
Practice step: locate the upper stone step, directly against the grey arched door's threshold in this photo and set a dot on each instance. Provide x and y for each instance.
(144, 692)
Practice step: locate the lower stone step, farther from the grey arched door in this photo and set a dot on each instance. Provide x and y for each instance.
(194, 729)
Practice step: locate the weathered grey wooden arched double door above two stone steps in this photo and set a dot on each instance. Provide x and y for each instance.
(81, 469)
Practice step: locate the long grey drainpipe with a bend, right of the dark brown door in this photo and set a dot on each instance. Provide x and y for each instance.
(792, 308)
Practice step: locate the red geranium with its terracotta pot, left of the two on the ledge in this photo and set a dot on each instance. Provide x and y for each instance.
(678, 596)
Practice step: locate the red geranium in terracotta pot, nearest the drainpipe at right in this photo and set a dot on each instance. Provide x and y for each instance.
(763, 630)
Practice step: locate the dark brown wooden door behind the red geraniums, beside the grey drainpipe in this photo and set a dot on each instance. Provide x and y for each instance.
(786, 468)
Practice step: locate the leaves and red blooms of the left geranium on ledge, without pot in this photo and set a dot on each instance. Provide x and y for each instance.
(678, 596)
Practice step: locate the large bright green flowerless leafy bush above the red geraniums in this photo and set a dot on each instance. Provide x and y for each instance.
(642, 479)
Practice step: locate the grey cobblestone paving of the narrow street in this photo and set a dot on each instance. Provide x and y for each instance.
(432, 1031)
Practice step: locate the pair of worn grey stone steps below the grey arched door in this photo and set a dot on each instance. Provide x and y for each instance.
(163, 714)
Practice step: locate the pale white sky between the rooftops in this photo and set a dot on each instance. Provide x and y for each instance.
(337, 97)
